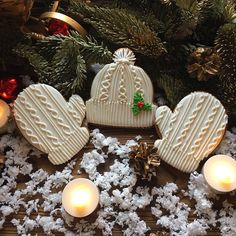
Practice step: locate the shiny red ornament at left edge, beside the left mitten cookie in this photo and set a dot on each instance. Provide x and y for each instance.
(8, 87)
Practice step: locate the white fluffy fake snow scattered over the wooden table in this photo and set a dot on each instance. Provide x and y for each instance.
(120, 194)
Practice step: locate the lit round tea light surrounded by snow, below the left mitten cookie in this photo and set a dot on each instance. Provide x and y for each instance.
(80, 197)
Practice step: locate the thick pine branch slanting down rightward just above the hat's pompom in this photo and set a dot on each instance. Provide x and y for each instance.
(121, 28)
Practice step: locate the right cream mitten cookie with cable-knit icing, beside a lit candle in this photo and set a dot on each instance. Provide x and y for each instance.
(192, 131)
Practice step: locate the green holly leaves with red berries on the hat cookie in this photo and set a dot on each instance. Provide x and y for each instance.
(139, 104)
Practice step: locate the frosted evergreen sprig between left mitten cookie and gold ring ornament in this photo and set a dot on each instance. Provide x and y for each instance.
(62, 61)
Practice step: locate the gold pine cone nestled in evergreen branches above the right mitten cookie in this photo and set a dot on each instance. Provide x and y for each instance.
(203, 64)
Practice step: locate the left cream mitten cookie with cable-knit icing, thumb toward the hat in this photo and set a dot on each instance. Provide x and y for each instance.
(50, 123)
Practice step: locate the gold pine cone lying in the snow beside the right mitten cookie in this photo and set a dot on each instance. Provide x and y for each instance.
(144, 159)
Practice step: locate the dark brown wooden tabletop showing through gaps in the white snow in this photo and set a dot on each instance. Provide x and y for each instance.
(165, 174)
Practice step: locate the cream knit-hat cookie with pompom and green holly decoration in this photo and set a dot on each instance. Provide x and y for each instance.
(121, 94)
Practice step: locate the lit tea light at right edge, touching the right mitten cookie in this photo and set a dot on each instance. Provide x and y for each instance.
(220, 173)
